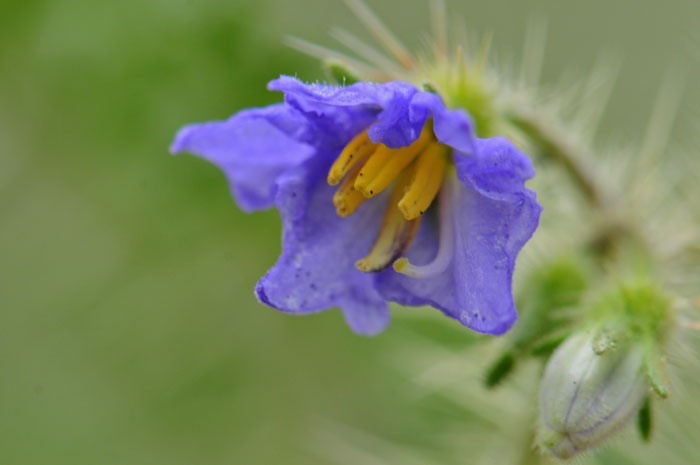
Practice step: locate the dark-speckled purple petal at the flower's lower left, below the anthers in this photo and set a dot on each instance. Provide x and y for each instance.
(316, 269)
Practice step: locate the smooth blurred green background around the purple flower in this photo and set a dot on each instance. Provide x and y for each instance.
(129, 333)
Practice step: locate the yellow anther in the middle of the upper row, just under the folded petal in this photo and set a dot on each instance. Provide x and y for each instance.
(386, 164)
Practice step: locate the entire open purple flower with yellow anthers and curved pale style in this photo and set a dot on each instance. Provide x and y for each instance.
(353, 172)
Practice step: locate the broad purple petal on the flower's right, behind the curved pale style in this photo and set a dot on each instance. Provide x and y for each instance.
(493, 215)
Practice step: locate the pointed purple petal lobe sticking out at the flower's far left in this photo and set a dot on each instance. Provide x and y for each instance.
(252, 148)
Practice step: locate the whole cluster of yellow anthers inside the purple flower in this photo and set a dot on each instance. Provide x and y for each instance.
(366, 169)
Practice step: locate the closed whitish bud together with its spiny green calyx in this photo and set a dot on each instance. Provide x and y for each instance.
(599, 378)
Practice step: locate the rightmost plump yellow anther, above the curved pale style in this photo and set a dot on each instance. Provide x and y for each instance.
(428, 172)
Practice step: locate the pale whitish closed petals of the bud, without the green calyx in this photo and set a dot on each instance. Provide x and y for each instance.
(586, 397)
